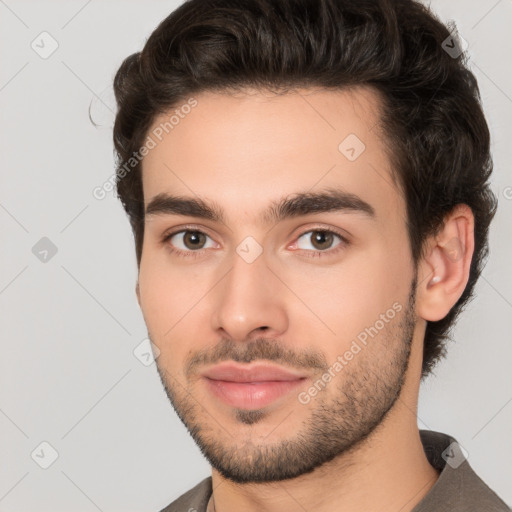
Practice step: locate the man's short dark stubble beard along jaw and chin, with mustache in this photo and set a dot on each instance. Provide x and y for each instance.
(367, 389)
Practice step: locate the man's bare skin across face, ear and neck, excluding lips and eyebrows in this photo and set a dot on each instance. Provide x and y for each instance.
(242, 152)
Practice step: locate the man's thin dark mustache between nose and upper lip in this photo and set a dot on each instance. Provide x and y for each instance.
(259, 349)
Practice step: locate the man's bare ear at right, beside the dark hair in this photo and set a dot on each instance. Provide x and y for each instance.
(444, 270)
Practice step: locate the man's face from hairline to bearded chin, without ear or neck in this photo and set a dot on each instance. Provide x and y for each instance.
(276, 278)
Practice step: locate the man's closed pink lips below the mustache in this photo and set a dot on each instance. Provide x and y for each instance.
(251, 386)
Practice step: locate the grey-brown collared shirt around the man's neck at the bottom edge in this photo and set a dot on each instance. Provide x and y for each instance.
(457, 489)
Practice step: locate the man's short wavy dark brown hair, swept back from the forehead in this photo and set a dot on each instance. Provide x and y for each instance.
(432, 115)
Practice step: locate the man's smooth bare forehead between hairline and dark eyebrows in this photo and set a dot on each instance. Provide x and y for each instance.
(245, 150)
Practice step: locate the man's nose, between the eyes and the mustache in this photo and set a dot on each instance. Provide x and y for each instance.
(249, 301)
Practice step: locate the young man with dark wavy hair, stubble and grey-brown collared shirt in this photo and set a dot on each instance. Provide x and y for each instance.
(307, 182)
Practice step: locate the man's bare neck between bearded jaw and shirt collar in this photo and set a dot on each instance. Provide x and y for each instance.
(381, 474)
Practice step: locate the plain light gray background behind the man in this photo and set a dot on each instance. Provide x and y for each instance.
(69, 326)
